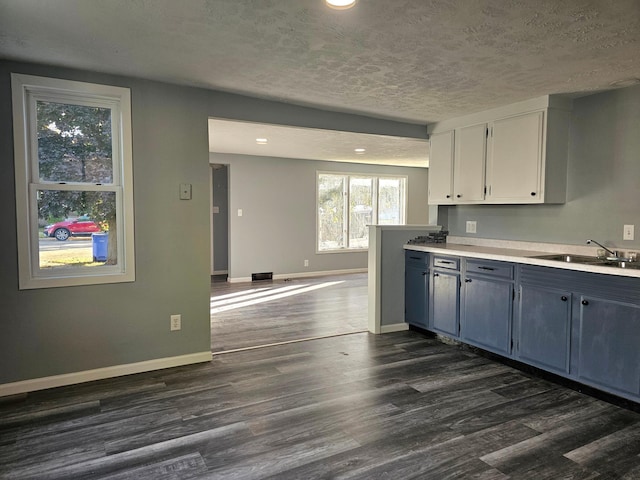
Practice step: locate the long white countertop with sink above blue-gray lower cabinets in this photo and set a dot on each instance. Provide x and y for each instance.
(519, 256)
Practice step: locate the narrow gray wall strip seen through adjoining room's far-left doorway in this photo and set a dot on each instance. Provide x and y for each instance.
(220, 178)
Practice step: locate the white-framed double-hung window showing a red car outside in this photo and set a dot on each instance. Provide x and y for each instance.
(74, 203)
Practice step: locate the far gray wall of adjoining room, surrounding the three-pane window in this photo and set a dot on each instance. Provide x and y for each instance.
(277, 230)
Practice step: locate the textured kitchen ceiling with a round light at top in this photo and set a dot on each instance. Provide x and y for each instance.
(419, 61)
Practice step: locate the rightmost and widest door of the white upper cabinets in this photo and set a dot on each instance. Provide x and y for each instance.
(514, 166)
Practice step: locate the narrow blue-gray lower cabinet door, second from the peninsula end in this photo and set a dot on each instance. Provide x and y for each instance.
(445, 302)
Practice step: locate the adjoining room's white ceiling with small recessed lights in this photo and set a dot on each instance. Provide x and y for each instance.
(237, 137)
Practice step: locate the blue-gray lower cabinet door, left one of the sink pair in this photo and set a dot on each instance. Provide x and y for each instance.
(544, 328)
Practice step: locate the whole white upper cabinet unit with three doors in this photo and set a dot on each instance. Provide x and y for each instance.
(510, 155)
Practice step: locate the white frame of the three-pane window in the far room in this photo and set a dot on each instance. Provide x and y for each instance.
(346, 205)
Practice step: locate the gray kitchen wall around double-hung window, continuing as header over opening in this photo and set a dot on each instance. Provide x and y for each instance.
(63, 330)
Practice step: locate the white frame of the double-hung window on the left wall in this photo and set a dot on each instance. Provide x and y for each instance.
(27, 90)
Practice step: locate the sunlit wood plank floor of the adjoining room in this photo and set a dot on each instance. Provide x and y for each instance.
(266, 312)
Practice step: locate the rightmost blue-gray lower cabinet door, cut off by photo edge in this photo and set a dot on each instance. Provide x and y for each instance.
(609, 345)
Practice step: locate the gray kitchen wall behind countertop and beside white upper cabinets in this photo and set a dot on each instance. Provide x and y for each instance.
(603, 182)
